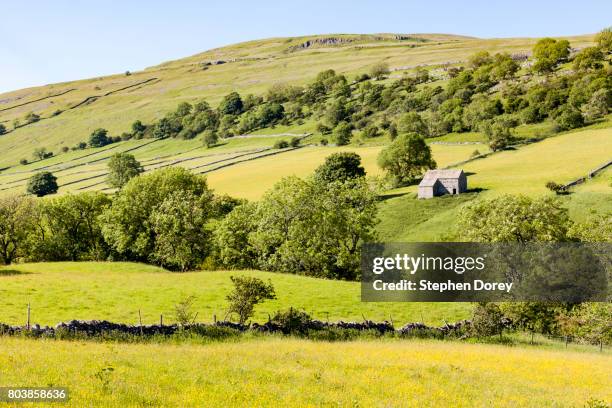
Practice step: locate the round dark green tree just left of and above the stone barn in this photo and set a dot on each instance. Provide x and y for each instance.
(406, 158)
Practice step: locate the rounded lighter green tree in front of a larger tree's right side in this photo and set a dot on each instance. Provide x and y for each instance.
(182, 238)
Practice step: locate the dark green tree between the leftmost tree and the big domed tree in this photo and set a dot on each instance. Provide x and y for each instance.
(72, 229)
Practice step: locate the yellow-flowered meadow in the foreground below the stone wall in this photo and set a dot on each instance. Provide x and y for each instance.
(289, 372)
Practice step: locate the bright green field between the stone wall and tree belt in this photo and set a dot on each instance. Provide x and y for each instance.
(116, 291)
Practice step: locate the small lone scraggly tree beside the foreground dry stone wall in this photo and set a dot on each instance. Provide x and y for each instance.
(247, 293)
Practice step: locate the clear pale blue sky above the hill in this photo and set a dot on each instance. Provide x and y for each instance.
(44, 42)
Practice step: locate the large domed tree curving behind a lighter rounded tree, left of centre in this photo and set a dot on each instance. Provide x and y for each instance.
(128, 225)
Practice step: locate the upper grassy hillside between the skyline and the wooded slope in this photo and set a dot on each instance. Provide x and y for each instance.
(71, 111)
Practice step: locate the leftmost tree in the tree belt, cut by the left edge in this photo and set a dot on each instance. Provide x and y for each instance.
(16, 224)
